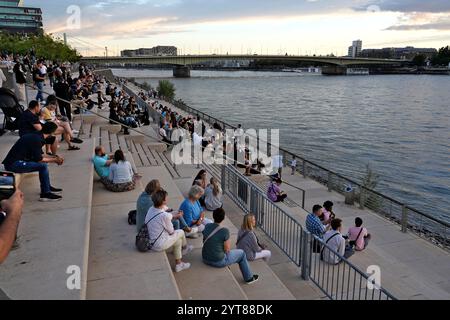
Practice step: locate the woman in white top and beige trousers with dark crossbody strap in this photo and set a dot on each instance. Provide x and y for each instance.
(161, 231)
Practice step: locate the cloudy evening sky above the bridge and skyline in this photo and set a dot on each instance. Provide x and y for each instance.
(246, 26)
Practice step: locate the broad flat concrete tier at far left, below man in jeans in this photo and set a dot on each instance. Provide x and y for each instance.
(53, 236)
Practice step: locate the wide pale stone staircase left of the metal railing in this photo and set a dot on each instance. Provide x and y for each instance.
(88, 231)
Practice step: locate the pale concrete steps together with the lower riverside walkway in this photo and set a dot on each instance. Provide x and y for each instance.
(88, 229)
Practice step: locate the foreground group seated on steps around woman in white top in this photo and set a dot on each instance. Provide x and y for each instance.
(169, 229)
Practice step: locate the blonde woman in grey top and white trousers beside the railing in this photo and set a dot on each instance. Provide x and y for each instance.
(248, 241)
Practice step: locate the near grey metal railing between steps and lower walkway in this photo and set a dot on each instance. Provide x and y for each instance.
(342, 281)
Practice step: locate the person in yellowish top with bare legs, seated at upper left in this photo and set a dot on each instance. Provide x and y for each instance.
(48, 113)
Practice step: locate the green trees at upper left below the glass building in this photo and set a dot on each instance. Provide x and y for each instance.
(43, 45)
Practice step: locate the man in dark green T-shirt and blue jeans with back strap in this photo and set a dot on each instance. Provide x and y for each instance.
(217, 251)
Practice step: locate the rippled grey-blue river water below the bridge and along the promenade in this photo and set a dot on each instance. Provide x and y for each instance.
(400, 124)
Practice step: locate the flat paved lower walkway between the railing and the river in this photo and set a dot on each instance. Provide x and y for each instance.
(411, 267)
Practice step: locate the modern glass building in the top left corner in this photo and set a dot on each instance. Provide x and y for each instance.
(16, 18)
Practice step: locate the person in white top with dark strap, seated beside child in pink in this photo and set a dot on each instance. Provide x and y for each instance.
(336, 243)
